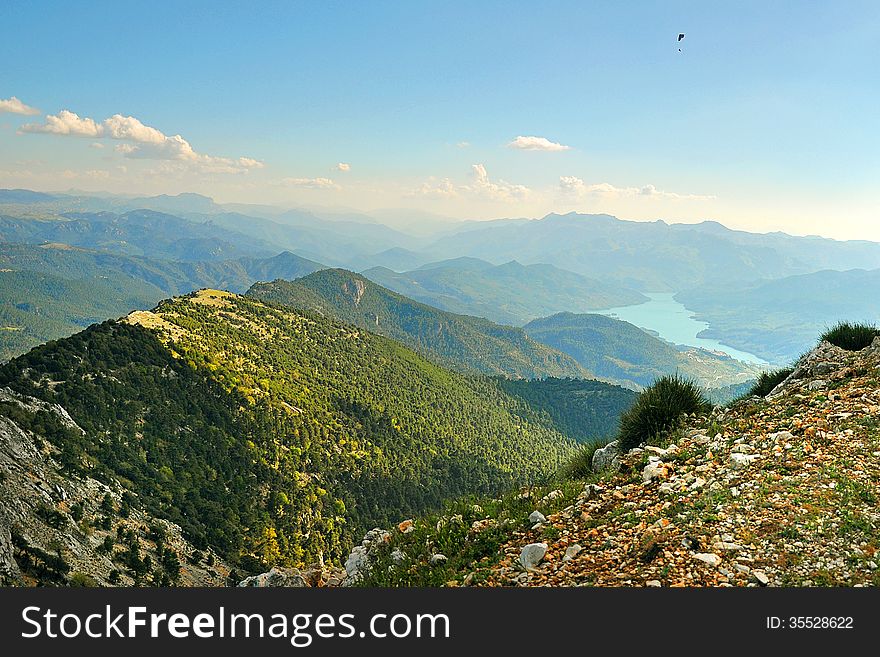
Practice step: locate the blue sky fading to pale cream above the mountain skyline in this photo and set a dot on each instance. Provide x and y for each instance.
(766, 120)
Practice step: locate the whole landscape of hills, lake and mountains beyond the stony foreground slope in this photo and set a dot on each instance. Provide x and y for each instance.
(204, 392)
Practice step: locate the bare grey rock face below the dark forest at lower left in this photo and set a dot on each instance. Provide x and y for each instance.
(52, 526)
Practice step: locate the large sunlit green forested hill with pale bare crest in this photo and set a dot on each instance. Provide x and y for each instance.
(273, 435)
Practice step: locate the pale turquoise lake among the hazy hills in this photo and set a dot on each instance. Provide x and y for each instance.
(675, 323)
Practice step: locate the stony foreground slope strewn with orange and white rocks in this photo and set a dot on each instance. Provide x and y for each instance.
(781, 491)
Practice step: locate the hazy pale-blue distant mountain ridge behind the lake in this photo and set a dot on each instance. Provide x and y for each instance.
(655, 256)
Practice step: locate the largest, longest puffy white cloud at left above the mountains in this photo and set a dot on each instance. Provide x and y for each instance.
(141, 141)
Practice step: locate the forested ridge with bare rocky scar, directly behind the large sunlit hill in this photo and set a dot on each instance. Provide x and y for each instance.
(459, 341)
